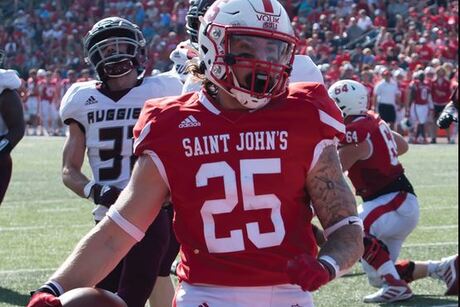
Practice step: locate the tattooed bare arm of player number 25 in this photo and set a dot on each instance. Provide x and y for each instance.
(333, 202)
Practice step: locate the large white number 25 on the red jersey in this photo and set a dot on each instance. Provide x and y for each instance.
(248, 168)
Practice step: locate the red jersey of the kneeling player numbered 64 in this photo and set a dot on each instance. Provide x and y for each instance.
(382, 167)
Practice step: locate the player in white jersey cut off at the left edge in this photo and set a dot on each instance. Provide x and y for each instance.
(12, 124)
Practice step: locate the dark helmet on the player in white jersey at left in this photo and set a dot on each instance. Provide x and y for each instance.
(114, 31)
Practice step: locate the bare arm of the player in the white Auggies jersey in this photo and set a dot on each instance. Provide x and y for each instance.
(72, 160)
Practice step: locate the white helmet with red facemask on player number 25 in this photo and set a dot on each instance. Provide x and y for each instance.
(228, 21)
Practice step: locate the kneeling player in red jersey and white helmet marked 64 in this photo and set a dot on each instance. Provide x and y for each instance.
(369, 153)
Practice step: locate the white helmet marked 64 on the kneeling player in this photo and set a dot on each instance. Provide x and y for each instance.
(350, 96)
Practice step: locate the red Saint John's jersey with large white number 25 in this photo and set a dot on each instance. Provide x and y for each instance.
(237, 180)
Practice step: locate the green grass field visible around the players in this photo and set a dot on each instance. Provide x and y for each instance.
(41, 221)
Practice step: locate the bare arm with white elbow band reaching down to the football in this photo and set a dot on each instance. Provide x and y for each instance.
(107, 243)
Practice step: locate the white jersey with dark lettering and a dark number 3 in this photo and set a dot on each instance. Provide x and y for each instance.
(108, 125)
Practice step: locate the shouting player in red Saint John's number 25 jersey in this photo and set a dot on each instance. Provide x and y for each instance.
(239, 160)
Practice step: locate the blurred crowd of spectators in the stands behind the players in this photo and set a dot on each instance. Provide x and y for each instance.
(347, 39)
